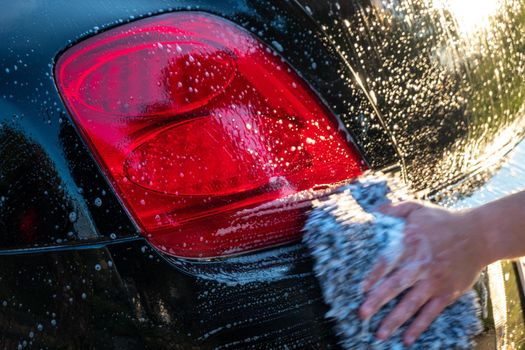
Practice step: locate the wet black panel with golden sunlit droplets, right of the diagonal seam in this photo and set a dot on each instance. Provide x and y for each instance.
(446, 77)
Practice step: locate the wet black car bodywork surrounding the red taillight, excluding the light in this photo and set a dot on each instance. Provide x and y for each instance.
(420, 94)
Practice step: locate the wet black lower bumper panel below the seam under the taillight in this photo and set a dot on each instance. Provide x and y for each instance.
(130, 297)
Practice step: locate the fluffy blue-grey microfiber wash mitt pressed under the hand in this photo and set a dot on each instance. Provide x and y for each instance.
(345, 235)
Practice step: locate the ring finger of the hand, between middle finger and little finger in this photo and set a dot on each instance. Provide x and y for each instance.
(404, 310)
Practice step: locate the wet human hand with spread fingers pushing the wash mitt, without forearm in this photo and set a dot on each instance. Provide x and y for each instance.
(444, 252)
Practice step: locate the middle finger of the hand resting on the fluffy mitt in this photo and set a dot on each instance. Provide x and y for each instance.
(388, 290)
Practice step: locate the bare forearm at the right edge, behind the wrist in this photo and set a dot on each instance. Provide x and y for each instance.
(501, 225)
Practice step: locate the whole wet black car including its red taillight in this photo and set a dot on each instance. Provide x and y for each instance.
(158, 158)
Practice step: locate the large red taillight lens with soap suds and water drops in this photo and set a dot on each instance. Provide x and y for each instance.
(203, 130)
